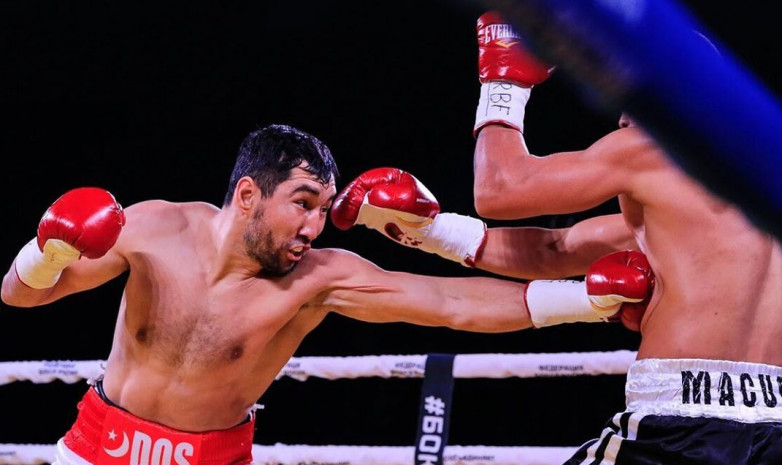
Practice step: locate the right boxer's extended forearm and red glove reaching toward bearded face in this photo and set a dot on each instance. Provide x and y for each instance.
(396, 204)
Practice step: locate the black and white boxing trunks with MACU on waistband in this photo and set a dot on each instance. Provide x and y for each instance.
(698, 412)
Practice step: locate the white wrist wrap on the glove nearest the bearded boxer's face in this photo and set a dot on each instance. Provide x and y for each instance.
(456, 237)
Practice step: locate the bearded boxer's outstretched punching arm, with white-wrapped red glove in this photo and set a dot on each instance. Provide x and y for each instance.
(359, 289)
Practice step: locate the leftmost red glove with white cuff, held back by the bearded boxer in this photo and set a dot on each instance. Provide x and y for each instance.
(82, 222)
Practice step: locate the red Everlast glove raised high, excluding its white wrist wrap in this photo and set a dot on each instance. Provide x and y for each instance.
(502, 57)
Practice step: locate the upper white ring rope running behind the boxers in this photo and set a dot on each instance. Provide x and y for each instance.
(384, 366)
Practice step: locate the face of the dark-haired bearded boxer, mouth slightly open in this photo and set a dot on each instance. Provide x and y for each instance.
(284, 225)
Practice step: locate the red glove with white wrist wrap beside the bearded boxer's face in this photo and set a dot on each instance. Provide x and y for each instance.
(394, 203)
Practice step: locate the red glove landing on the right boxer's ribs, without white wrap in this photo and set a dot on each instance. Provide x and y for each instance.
(621, 278)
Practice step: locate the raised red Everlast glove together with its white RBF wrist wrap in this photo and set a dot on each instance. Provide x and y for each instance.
(507, 72)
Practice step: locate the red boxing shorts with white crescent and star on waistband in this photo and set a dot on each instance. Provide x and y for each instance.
(107, 435)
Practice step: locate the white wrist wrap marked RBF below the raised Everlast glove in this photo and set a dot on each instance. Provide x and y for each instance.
(501, 103)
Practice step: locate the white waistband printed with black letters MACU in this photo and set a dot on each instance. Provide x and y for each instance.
(740, 391)
